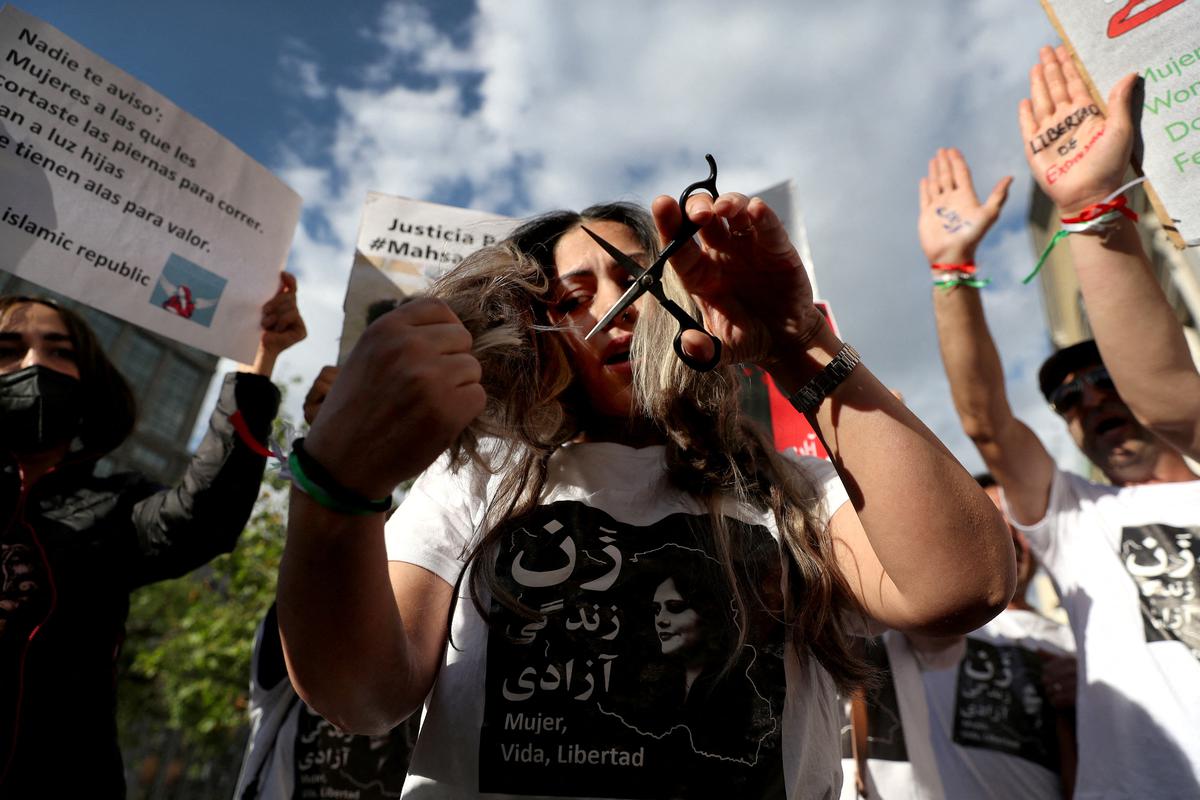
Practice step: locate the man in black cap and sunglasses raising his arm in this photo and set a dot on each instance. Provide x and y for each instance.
(1123, 554)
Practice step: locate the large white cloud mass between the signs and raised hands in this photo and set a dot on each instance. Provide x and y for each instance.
(549, 105)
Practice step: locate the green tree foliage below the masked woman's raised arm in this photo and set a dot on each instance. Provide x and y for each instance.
(184, 673)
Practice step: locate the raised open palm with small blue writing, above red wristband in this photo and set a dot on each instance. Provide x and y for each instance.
(952, 221)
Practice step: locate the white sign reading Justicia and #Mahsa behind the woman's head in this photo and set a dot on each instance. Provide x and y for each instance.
(403, 246)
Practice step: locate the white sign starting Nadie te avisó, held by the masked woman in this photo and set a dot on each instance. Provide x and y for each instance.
(112, 195)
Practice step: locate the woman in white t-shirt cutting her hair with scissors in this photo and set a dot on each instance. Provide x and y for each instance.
(565, 478)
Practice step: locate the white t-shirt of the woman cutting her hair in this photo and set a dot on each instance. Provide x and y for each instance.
(619, 691)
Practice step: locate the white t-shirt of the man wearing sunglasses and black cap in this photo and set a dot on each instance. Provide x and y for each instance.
(1124, 561)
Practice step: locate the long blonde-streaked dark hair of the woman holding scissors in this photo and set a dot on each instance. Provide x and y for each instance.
(502, 294)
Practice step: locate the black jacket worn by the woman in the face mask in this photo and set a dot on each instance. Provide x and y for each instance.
(71, 552)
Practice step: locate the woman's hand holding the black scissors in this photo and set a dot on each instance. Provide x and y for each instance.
(746, 276)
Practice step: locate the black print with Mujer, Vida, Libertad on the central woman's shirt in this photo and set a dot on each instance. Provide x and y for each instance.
(625, 685)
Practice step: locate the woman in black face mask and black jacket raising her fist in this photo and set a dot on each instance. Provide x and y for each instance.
(74, 545)
